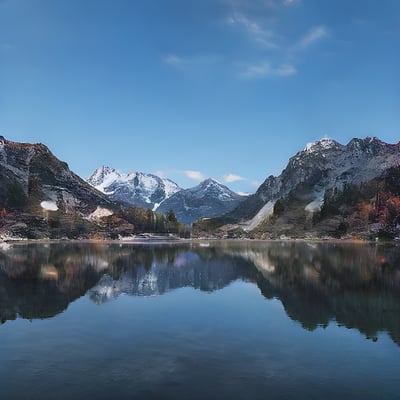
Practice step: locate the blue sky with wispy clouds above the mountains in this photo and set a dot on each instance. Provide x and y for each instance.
(228, 89)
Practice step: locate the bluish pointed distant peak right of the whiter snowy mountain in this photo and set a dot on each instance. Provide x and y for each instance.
(208, 199)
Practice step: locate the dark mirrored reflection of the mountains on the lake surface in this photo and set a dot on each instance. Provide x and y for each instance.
(358, 286)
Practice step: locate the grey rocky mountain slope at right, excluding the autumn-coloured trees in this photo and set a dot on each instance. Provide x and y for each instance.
(292, 202)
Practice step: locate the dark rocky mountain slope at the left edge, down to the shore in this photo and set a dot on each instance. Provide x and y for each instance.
(39, 194)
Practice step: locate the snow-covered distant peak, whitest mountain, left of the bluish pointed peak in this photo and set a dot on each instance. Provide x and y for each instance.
(135, 188)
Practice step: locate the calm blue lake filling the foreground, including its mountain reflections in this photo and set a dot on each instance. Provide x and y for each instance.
(200, 320)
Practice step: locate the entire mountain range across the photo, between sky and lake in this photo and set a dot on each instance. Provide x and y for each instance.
(327, 189)
